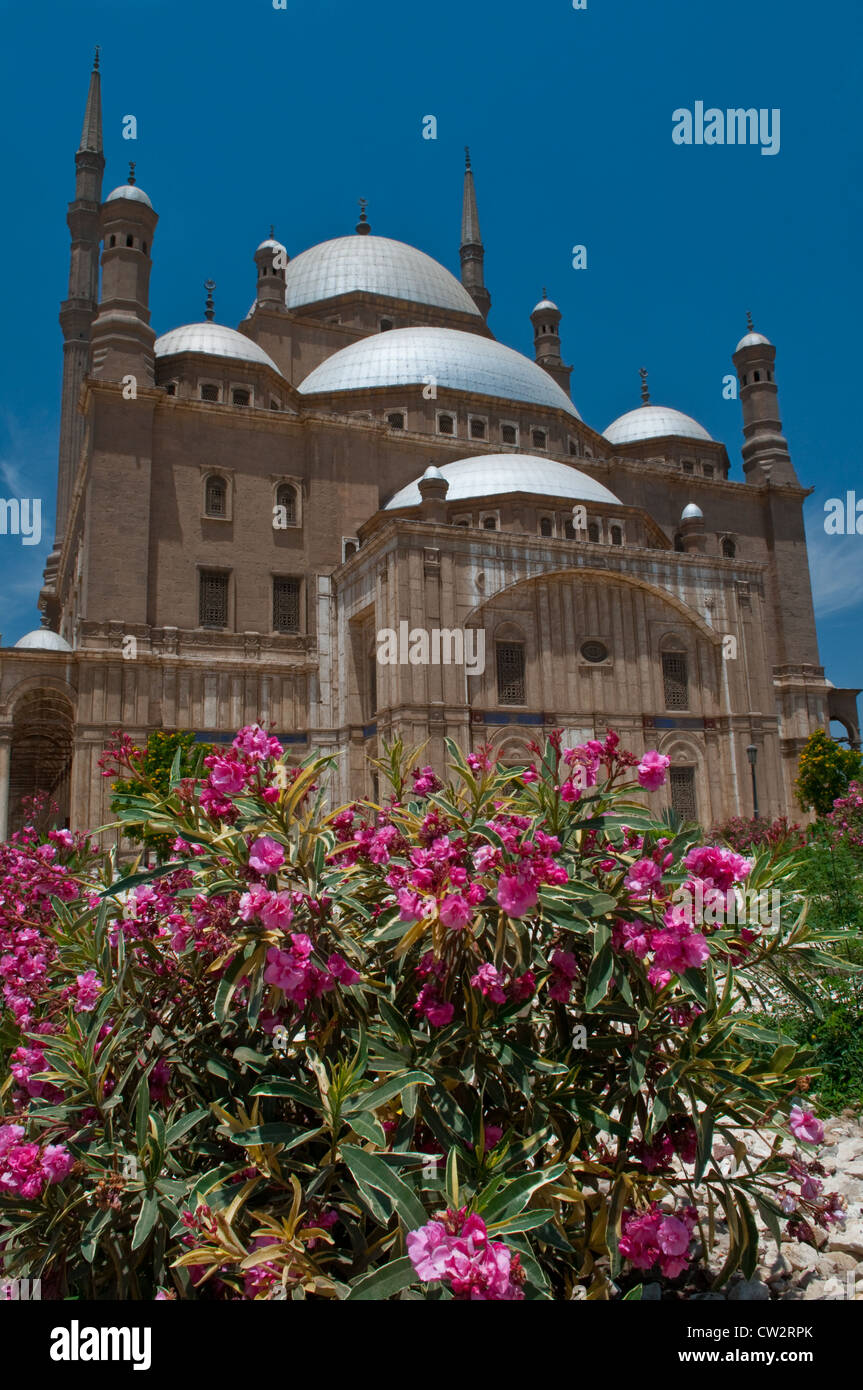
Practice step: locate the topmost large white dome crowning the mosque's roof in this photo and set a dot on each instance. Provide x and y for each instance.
(373, 266)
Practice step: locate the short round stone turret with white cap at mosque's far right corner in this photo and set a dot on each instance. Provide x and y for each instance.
(766, 455)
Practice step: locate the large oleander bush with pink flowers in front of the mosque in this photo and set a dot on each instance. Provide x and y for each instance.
(473, 1043)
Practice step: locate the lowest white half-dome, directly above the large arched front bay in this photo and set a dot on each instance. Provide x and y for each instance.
(494, 475)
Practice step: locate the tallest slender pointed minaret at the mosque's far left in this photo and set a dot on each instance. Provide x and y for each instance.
(77, 312)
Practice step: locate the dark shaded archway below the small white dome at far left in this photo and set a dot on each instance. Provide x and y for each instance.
(41, 757)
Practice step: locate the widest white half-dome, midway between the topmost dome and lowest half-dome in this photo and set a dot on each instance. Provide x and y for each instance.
(458, 361)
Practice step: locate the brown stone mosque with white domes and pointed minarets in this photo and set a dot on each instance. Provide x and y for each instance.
(243, 512)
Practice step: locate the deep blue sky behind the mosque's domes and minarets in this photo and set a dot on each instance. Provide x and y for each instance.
(249, 115)
